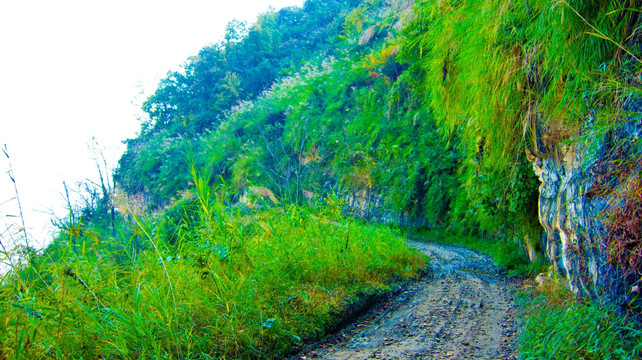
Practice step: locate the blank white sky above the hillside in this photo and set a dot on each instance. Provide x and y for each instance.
(71, 70)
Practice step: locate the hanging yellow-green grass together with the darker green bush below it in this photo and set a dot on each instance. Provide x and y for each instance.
(509, 78)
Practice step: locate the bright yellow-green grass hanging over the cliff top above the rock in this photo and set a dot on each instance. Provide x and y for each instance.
(495, 66)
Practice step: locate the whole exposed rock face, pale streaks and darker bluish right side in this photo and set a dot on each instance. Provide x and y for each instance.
(574, 218)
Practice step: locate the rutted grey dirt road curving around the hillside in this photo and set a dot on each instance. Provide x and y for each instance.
(465, 310)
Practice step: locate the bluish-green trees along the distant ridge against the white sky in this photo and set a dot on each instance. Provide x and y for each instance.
(188, 104)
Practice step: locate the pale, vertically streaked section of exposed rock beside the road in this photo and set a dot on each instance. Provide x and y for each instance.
(571, 221)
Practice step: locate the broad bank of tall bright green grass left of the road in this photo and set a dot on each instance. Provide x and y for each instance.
(199, 281)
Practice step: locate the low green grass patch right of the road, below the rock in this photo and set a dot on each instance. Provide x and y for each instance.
(556, 325)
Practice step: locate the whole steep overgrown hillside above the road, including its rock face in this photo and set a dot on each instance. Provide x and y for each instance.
(445, 115)
